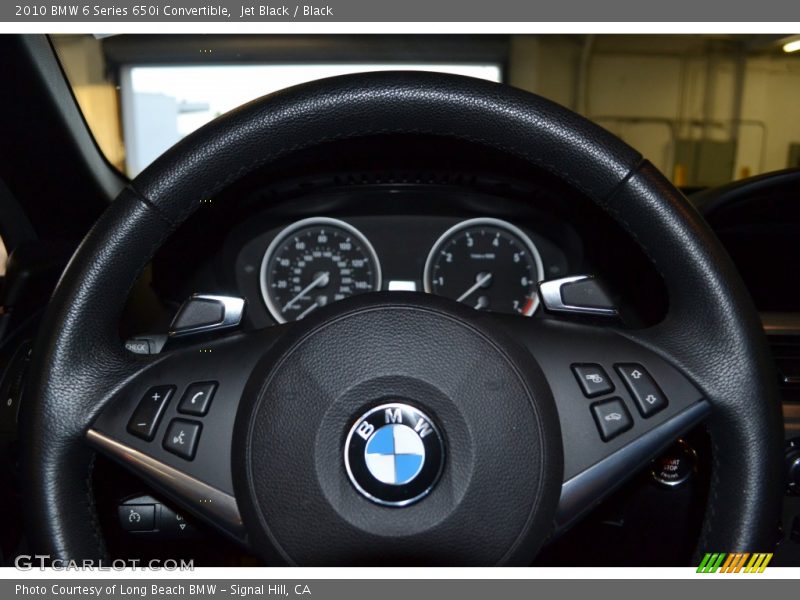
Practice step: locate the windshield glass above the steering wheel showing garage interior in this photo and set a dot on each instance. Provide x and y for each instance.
(705, 110)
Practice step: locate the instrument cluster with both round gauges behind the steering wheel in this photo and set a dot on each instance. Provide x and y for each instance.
(486, 263)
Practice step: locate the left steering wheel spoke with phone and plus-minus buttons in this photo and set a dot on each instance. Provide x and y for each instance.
(172, 424)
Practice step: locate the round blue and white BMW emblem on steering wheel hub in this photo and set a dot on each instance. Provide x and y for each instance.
(394, 454)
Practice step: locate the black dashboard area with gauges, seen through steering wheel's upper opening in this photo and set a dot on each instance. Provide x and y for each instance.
(476, 228)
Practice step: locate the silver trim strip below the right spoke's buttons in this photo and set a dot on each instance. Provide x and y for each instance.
(583, 491)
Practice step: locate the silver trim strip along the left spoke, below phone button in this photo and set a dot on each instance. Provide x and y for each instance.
(208, 503)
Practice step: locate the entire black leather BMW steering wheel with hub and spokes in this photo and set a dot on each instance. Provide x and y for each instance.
(500, 450)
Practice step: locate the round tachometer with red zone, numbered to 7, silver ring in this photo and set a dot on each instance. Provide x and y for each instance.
(487, 264)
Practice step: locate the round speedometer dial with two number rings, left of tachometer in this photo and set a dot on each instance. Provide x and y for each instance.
(315, 262)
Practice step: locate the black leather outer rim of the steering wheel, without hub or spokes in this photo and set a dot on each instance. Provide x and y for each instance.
(711, 331)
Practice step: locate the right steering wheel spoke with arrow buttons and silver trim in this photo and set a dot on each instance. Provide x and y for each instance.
(619, 405)
